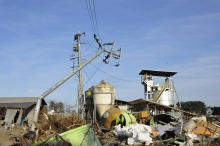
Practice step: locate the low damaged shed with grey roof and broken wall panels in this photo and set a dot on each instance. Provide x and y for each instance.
(16, 110)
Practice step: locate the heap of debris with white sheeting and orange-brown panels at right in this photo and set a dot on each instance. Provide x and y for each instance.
(165, 129)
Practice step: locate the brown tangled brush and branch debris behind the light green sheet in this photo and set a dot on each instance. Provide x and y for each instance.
(47, 127)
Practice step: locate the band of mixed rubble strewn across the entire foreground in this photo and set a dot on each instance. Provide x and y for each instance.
(171, 130)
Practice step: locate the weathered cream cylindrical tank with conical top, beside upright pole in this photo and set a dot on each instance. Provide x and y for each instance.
(103, 97)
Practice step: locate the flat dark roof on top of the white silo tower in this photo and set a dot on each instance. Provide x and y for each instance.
(157, 73)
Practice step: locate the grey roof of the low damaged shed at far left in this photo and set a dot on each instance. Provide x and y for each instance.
(19, 102)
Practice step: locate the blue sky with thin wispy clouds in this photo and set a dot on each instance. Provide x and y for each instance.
(36, 40)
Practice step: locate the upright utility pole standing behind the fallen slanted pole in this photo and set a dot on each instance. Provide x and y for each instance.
(80, 92)
